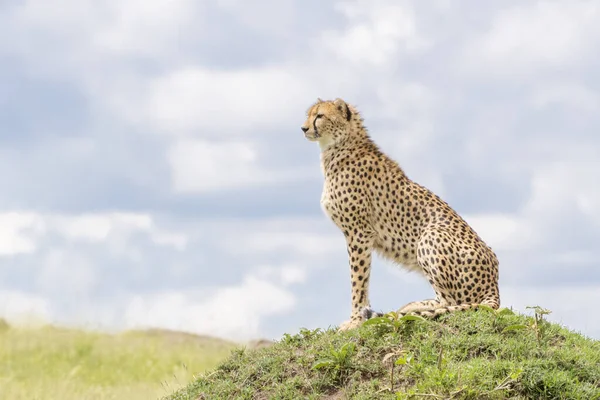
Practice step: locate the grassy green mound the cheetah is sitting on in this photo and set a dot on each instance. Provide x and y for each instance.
(481, 354)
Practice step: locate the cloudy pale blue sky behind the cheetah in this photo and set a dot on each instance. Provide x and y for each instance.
(154, 173)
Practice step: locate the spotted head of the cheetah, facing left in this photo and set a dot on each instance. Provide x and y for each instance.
(327, 122)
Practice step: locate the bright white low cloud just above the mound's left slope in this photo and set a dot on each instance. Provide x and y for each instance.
(233, 312)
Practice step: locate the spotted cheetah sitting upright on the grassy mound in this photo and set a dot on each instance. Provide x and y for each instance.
(379, 209)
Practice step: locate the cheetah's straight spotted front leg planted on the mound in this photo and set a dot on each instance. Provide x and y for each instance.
(360, 247)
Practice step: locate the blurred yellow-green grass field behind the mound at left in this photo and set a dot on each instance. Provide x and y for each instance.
(54, 363)
